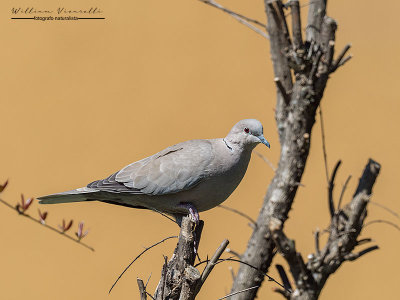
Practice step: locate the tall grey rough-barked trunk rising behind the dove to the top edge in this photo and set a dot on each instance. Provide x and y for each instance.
(311, 63)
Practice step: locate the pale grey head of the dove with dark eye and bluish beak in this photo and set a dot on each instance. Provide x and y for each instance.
(247, 133)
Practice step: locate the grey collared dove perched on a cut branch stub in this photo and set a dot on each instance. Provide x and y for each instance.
(188, 177)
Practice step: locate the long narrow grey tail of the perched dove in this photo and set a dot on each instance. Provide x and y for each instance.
(78, 195)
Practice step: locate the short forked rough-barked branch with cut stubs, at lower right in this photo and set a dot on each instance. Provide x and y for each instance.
(344, 230)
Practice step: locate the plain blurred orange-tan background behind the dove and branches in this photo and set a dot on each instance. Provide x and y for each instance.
(81, 99)
